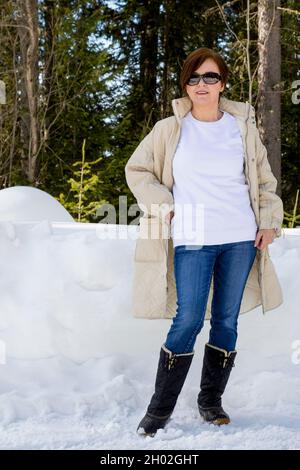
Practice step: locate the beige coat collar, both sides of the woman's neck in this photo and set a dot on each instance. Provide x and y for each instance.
(181, 106)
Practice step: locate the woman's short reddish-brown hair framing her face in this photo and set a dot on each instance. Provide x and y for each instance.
(195, 59)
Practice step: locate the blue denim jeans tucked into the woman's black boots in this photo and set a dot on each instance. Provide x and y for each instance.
(194, 266)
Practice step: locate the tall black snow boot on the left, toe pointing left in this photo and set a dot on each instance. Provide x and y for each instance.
(171, 373)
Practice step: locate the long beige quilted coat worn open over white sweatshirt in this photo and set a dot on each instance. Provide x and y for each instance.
(149, 177)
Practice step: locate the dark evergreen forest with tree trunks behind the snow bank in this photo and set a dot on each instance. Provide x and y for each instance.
(85, 81)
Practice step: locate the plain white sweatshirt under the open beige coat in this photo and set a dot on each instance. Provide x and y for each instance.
(211, 195)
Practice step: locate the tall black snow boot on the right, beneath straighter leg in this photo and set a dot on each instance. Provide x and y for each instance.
(217, 365)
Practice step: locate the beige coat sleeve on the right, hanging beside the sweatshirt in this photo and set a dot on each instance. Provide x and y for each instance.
(270, 204)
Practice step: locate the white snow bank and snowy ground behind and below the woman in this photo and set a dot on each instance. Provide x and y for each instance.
(77, 370)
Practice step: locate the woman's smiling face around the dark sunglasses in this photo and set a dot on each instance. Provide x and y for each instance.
(211, 98)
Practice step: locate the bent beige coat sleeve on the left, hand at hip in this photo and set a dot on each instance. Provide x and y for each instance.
(153, 197)
